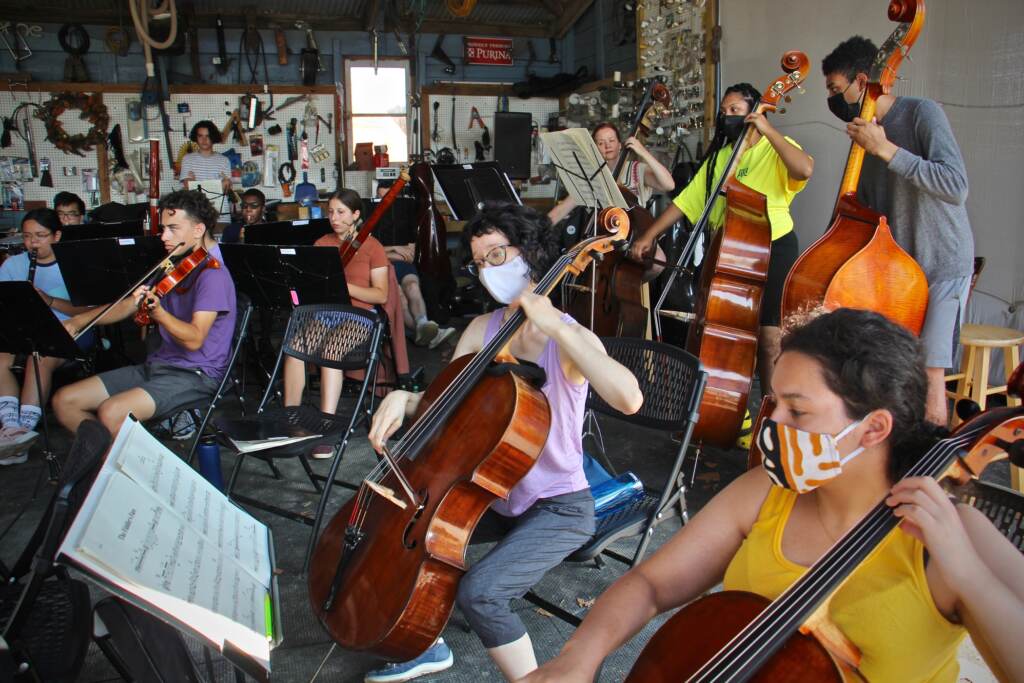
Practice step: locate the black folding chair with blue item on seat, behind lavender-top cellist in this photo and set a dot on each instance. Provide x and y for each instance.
(673, 382)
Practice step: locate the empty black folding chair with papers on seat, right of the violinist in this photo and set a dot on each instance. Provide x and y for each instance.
(331, 336)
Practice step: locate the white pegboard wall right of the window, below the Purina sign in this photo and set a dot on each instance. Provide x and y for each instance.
(466, 135)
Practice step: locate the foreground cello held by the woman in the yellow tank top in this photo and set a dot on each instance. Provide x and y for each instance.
(740, 636)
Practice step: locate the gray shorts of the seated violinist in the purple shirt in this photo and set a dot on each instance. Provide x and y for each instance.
(169, 387)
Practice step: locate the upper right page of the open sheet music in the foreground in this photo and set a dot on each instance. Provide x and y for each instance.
(147, 461)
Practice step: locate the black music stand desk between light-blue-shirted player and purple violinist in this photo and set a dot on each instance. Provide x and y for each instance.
(98, 272)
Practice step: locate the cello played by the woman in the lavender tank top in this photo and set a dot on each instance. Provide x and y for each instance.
(386, 571)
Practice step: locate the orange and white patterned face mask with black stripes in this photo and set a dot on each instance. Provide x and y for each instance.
(801, 460)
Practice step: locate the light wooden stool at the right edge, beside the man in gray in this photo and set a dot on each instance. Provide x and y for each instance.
(972, 381)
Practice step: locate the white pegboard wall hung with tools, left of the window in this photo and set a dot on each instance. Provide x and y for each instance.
(212, 107)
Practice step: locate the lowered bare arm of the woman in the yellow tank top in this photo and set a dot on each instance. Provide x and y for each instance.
(691, 564)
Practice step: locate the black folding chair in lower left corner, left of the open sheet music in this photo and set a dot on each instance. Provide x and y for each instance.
(45, 614)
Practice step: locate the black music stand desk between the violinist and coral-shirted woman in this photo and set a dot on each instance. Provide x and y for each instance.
(280, 277)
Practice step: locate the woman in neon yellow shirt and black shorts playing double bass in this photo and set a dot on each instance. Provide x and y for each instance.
(776, 166)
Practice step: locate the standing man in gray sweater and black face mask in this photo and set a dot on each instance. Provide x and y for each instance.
(914, 175)
